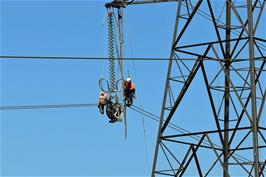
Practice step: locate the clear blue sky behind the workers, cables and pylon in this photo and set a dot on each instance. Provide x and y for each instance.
(80, 141)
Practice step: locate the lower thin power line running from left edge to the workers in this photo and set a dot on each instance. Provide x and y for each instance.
(48, 106)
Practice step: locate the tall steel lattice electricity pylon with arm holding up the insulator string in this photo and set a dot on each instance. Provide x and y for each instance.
(217, 56)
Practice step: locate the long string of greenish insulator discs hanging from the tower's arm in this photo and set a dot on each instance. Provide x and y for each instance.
(111, 50)
